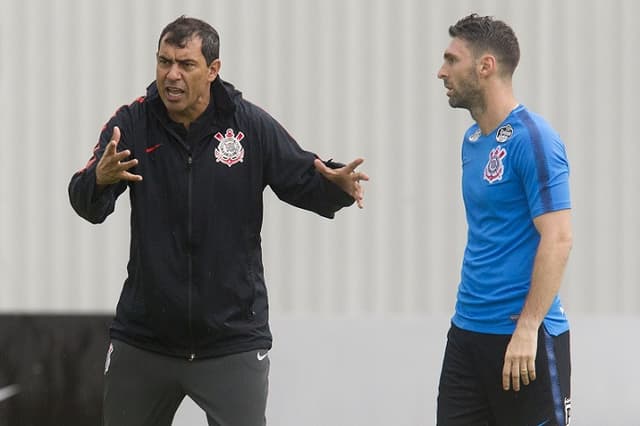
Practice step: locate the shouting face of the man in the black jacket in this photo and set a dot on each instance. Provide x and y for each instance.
(184, 79)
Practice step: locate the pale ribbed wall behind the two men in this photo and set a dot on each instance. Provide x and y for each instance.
(360, 305)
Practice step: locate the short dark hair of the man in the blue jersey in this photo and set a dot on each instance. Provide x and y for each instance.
(484, 33)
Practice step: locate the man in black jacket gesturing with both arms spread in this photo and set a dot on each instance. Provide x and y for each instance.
(193, 315)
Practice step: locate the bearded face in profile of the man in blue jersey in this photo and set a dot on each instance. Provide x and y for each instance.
(459, 75)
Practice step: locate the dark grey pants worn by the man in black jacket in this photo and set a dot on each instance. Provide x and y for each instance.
(143, 388)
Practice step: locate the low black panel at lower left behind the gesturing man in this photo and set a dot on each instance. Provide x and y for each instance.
(51, 369)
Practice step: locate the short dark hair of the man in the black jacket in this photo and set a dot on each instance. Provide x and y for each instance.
(184, 29)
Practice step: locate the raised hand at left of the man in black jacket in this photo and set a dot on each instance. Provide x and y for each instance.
(112, 168)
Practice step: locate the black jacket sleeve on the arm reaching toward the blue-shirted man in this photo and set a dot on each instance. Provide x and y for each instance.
(290, 172)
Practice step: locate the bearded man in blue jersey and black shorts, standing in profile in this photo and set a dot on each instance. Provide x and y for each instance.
(507, 359)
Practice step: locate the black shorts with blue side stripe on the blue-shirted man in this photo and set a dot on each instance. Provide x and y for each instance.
(471, 393)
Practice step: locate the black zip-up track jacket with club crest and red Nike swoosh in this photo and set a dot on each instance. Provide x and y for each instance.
(195, 286)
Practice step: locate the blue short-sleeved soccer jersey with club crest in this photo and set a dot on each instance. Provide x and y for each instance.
(510, 176)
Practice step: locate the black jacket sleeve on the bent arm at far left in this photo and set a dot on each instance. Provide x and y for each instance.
(86, 200)
